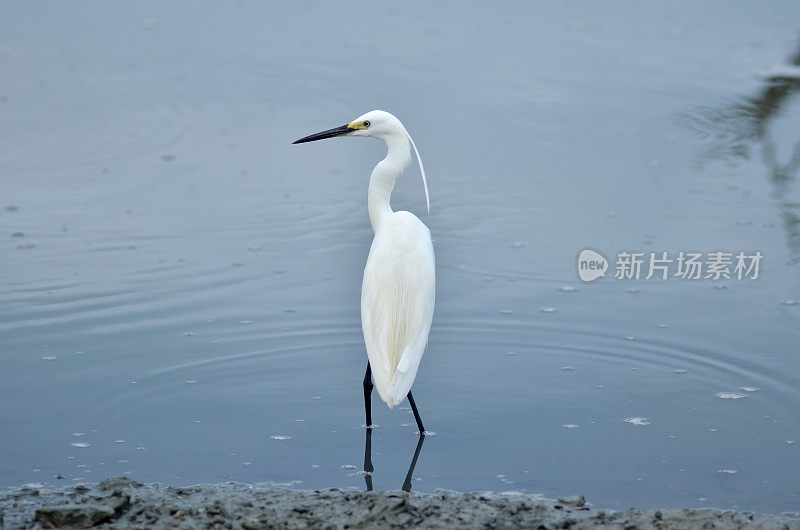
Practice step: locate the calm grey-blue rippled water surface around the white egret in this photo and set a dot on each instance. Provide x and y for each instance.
(179, 285)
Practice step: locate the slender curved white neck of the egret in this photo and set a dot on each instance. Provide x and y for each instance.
(383, 177)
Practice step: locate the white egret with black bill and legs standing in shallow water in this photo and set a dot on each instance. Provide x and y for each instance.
(397, 293)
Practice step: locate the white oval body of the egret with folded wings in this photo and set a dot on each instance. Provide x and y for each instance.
(397, 299)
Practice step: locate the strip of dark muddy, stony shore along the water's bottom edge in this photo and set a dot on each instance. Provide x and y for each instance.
(123, 503)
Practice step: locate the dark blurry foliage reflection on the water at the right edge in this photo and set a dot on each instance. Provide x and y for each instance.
(735, 129)
